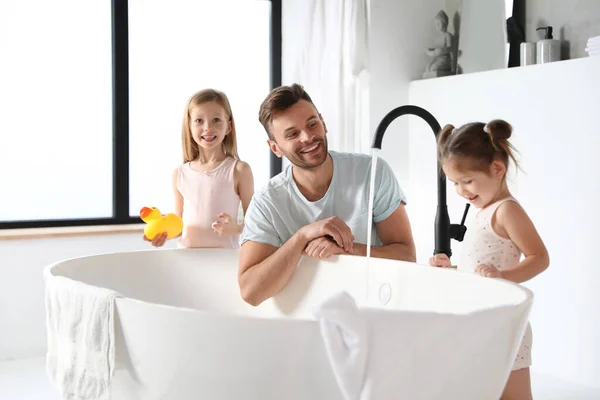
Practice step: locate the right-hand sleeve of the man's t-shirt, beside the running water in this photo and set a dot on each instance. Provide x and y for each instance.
(388, 194)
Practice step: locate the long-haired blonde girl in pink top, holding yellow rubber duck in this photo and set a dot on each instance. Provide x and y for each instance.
(212, 181)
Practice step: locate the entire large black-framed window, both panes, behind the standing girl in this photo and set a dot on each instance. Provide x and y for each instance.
(91, 127)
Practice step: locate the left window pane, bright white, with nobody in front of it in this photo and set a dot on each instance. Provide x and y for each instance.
(56, 125)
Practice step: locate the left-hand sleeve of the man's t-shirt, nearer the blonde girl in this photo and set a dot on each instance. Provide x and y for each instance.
(258, 224)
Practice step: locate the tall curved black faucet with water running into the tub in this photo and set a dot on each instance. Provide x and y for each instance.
(444, 230)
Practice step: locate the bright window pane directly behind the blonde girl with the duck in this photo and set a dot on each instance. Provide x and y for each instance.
(223, 45)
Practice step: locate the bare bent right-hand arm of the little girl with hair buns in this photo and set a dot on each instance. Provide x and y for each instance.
(515, 223)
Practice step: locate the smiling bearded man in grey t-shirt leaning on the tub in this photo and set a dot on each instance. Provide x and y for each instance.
(319, 205)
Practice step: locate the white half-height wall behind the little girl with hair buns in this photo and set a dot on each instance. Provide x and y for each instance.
(554, 111)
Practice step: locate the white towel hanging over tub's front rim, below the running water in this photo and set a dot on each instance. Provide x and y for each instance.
(344, 332)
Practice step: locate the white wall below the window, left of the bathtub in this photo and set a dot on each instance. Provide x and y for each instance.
(22, 312)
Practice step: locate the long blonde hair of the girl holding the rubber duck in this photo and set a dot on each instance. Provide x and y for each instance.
(190, 147)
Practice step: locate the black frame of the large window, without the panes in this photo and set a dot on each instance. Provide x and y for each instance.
(120, 120)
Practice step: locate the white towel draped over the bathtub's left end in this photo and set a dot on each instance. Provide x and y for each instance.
(80, 335)
